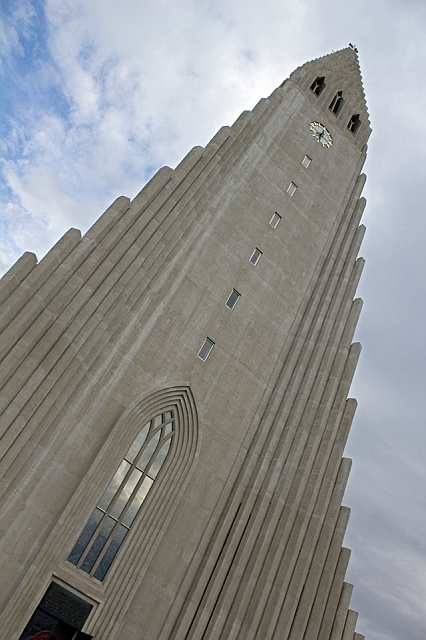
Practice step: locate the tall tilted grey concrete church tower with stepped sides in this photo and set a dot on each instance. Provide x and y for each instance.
(174, 390)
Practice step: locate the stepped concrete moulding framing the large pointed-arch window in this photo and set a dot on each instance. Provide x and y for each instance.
(160, 502)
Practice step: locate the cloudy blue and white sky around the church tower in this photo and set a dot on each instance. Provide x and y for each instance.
(96, 95)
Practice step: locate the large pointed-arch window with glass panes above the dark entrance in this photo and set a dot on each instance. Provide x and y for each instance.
(110, 522)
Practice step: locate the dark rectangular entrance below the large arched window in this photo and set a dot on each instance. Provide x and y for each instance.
(59, 616)
